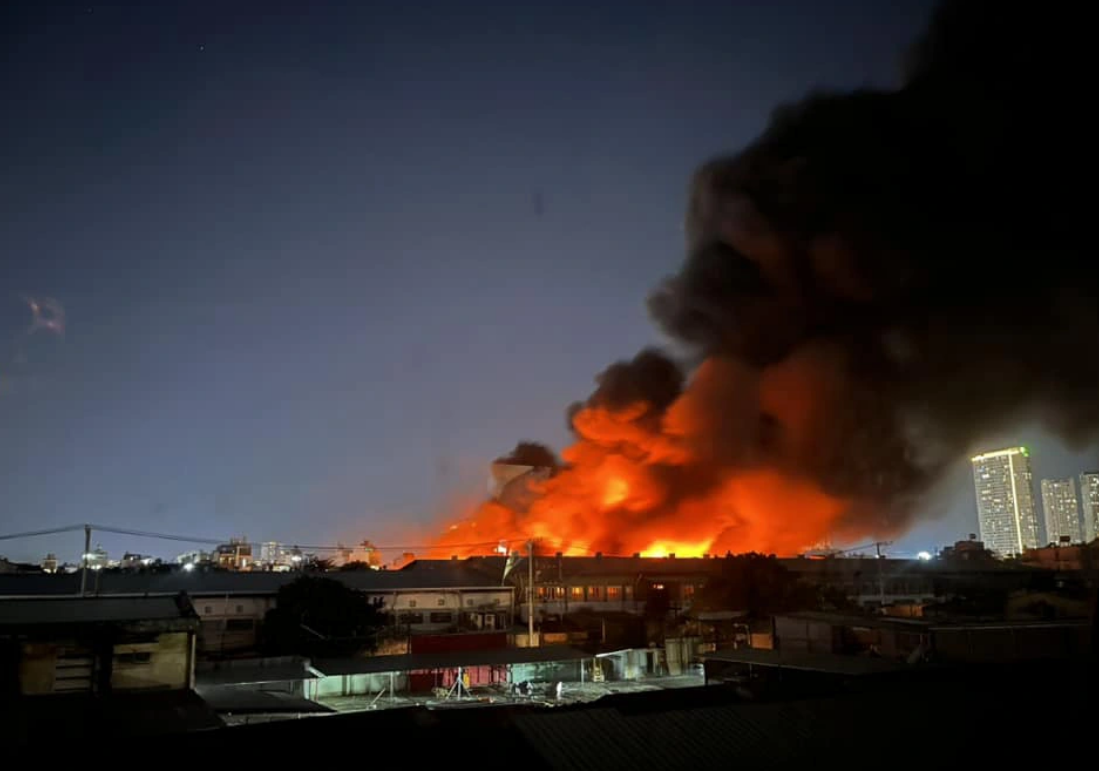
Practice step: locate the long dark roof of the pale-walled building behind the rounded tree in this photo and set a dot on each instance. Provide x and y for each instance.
(201, 584)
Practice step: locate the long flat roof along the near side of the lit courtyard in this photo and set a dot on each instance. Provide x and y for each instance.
(448, 661)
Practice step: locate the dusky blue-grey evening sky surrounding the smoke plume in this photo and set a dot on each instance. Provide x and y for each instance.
(320, 263)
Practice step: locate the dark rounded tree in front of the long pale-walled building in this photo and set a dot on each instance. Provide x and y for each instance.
(320, 617)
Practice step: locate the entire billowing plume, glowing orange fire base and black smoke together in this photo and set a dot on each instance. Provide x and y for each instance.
(876, 283)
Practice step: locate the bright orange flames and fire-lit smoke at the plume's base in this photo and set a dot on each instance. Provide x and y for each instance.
(659, 482)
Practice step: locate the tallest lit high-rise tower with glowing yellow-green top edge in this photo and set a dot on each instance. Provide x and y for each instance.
(1006, 512)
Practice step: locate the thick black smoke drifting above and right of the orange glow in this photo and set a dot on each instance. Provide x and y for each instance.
(916, 260)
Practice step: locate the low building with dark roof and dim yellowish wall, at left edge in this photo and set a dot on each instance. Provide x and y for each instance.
(97, 645)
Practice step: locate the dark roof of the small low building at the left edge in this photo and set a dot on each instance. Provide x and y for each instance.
(45, 611)
